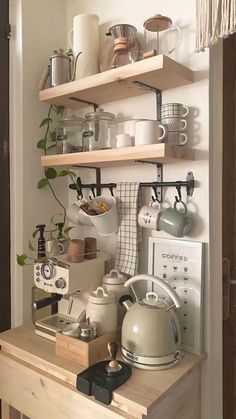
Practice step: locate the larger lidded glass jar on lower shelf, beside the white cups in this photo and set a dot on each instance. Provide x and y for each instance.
(99, 130)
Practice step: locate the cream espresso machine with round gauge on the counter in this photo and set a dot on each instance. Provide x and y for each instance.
(70, 284)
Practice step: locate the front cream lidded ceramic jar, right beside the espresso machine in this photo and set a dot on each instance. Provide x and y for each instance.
(102, 310)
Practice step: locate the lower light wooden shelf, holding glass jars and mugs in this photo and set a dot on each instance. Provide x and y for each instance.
(161, 153)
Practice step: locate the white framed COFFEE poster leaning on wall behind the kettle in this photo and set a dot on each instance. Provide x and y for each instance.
(179, 263)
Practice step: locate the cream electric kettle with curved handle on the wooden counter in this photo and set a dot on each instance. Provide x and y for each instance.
(150, 335)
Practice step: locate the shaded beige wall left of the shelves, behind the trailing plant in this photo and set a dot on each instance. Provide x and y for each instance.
(37, 28)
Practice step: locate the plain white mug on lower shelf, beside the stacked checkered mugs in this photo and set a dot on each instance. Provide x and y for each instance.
(149, 132)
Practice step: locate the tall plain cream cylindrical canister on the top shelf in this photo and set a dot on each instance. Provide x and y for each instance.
(86, 40)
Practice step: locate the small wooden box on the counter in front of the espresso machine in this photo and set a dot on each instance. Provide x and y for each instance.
(85, 353)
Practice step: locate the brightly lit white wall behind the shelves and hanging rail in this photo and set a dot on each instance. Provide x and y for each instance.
(144, 106)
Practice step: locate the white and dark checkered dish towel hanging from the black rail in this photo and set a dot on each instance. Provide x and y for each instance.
(128, 196)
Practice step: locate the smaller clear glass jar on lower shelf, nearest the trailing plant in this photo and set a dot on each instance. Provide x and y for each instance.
(69, 133)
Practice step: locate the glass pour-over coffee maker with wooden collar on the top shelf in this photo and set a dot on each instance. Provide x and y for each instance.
(125, 48)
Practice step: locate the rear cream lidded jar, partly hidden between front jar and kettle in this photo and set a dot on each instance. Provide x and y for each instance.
(114, 282)
